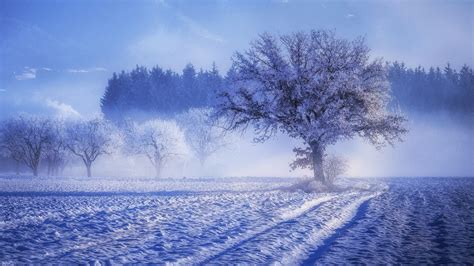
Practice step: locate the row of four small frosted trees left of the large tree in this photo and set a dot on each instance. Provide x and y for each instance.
(33, 140)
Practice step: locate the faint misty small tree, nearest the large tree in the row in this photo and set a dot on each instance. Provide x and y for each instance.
(203, 134)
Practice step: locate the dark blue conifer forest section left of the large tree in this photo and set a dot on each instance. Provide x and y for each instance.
(159, 91)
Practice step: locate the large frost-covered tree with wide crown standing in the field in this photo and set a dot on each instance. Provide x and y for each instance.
(312, 86)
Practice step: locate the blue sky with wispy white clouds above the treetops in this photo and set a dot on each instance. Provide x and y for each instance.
(56, 56)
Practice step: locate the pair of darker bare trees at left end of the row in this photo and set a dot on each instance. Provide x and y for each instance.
(32, 140)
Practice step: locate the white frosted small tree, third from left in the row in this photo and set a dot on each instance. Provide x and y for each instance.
(158, 140)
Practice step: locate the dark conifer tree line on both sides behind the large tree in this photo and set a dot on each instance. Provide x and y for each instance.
(141, 92)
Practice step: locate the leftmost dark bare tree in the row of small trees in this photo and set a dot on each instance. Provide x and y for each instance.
(25, 139)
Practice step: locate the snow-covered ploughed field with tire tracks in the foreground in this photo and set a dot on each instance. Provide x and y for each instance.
(235, 220)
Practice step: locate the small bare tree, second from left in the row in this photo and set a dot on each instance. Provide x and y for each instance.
(90, 139)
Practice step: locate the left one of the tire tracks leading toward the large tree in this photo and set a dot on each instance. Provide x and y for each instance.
(286, 215)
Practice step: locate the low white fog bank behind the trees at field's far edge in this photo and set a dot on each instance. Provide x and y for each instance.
(436, 145)
